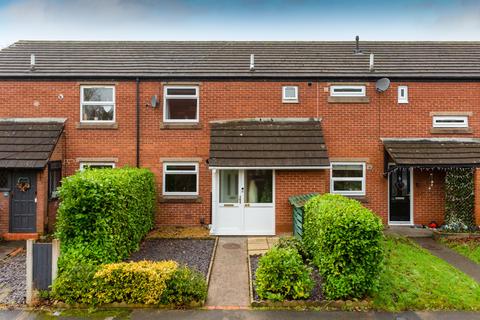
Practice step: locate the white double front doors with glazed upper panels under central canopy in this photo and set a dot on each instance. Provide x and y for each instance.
(245, 204)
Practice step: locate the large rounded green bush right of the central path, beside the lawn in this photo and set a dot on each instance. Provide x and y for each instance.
(345, 241)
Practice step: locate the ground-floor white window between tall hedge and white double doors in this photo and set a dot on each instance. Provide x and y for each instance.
(180, 179)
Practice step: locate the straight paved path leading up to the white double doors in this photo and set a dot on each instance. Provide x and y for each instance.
(229, 278)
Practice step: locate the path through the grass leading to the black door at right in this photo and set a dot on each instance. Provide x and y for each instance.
(458, 261)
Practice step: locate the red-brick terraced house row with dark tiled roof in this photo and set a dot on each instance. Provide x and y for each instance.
(233, 129)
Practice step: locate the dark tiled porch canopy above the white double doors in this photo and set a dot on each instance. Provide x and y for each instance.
(294, 143)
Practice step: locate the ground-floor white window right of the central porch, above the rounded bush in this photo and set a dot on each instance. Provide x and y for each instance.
(347, 178)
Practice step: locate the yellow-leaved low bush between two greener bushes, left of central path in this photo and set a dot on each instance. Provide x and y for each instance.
(133, 282)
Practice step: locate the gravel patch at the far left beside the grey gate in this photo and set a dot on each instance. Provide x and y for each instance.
(13, 280)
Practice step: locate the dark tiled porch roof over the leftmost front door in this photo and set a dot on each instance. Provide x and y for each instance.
(28, 143)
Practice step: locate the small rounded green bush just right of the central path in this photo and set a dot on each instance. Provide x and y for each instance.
(282, 275)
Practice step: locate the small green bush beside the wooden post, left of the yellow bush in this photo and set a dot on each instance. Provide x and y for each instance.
(76, 285)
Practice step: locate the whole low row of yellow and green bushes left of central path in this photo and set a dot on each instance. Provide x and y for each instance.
(144, 282)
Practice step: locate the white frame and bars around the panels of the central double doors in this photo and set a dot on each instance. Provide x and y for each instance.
(215, 202)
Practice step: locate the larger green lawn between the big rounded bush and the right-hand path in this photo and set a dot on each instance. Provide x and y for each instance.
(414, 279)
